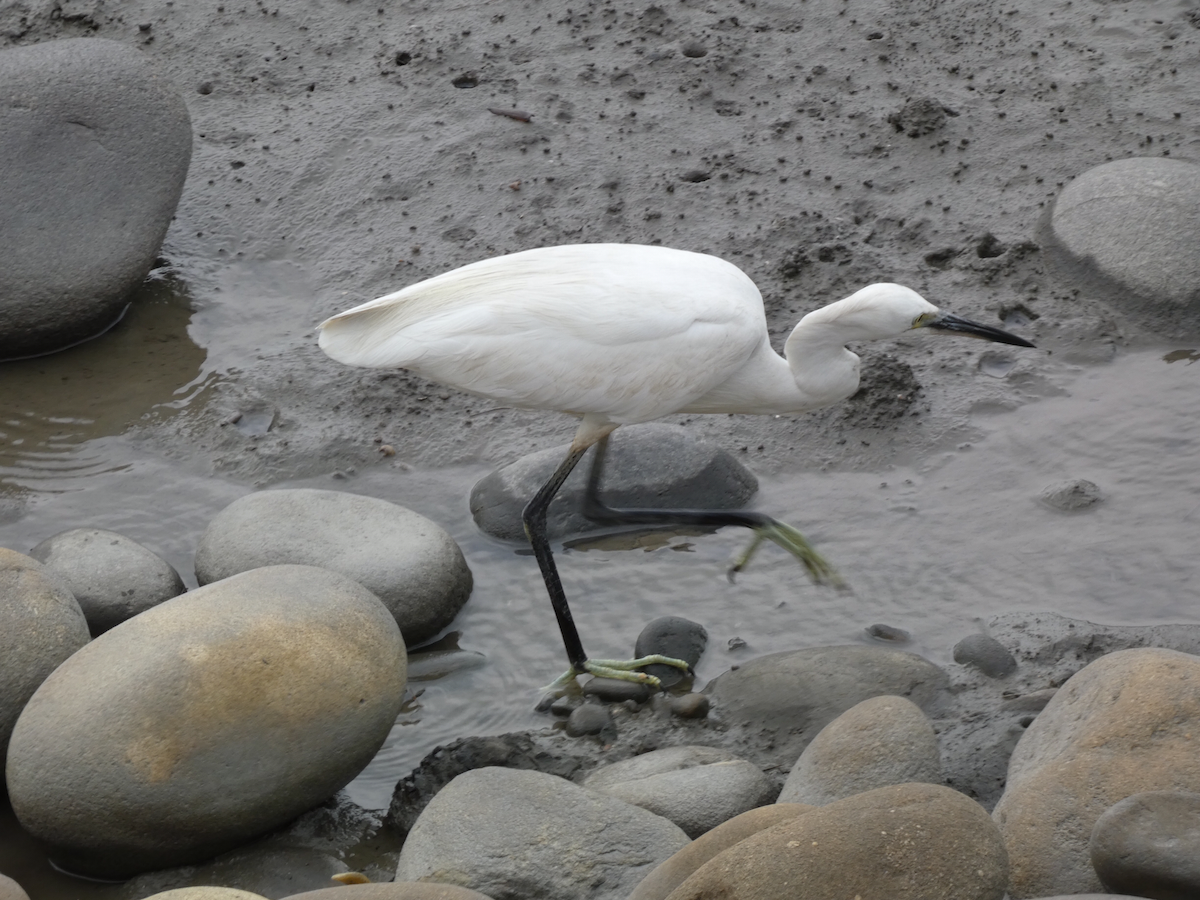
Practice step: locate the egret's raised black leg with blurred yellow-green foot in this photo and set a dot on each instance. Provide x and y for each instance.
(765, 527)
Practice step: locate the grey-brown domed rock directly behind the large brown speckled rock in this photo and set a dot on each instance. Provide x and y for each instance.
(880, 742)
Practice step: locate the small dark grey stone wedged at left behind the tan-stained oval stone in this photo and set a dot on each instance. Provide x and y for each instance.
(112, 577)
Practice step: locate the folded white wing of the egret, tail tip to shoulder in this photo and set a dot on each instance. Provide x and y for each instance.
(626, 331)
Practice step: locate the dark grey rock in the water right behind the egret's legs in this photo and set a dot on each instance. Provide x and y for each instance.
(653, 465)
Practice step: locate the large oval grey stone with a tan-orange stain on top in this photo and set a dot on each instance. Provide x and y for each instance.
(207, 721)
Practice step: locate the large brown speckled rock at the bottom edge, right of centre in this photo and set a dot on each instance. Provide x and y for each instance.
(938, 845)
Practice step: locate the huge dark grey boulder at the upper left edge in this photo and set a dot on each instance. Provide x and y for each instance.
(97, 147)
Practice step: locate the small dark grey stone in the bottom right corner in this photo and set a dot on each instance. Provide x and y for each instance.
(1149, 845)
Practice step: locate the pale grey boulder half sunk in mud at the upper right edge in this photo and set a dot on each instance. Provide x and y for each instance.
(1127, 231)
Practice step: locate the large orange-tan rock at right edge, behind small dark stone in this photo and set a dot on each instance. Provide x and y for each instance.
(1123, 725)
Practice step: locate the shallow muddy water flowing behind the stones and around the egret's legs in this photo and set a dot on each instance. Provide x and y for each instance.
(934, 547)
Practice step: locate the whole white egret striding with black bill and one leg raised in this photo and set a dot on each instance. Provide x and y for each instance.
(620, 334)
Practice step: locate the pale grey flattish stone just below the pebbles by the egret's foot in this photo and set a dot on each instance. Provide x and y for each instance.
(697, 788)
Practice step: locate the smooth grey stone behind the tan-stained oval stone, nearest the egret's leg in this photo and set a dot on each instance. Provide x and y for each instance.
(404, 559)
